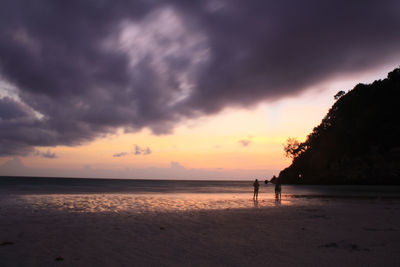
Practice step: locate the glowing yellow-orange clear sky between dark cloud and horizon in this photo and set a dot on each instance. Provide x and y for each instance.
(245, 139)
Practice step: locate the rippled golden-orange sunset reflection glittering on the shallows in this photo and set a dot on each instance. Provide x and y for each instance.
(143, 202)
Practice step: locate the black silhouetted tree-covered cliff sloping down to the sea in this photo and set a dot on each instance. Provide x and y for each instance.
(358, 141)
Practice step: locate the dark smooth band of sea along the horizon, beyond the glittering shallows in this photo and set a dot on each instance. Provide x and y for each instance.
(71, 185)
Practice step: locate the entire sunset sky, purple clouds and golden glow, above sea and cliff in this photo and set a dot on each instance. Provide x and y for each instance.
(178, 89)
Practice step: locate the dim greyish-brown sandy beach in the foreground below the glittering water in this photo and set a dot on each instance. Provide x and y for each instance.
(329, 232)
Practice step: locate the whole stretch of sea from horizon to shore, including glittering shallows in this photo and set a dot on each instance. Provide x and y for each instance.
(115, 195)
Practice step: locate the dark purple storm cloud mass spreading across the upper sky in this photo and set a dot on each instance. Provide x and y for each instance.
(81, 69)
